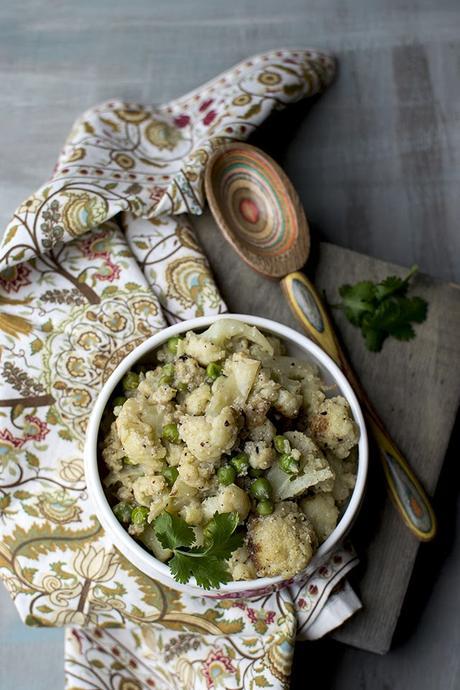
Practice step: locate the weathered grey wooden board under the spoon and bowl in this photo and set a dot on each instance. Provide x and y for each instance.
(415, 386)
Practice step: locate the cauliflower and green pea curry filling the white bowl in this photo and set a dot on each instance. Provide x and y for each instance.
(224, 421)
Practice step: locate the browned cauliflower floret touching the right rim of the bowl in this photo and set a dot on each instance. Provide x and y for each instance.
(334, 428)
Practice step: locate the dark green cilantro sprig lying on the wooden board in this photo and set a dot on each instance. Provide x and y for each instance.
(383, 309)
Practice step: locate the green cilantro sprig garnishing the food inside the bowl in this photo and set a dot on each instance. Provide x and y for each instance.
(207, 564)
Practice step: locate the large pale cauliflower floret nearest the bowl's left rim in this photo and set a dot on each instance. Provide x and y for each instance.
(138, 437)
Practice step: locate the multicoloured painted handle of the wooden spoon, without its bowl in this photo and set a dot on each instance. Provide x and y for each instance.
(406, 491)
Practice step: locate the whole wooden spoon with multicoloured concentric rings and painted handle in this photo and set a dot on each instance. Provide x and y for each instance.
(259, 213)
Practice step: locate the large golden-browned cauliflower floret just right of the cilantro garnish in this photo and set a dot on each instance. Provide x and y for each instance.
(281, 543)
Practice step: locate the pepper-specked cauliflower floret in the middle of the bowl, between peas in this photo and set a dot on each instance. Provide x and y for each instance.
(208, 437)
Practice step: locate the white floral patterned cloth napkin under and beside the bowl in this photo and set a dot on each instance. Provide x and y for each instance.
(101, 257)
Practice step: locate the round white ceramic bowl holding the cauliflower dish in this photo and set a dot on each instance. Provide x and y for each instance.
(297, 345)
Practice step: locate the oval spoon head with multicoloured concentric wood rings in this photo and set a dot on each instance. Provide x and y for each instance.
(257, 209)
